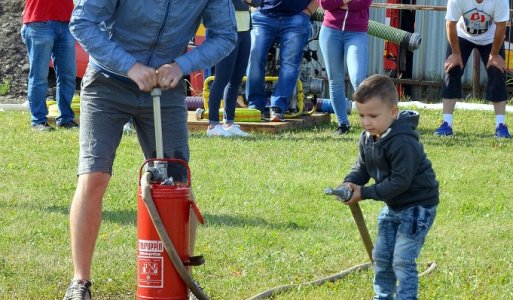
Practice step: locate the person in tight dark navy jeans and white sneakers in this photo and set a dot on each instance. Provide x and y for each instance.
(228, 75)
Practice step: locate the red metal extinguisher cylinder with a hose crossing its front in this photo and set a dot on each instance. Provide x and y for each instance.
(156, 275)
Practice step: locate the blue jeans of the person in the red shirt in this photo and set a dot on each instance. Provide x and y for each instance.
(45, 41)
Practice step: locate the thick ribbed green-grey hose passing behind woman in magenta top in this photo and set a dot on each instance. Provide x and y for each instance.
(410, 41)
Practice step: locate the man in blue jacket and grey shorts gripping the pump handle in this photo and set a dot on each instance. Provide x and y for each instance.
(134, 46)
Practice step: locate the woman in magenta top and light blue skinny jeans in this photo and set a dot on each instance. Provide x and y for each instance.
(343, 39)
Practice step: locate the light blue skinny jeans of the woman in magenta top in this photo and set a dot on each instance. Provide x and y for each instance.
(339, 47)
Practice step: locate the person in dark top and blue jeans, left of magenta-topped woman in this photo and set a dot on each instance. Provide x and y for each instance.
(286, 22)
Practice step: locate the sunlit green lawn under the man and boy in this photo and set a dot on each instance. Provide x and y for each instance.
(267, 221)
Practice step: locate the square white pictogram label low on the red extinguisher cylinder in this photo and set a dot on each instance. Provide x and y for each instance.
(150, 271)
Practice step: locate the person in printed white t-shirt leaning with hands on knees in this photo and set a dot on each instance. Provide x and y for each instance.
(481, 25)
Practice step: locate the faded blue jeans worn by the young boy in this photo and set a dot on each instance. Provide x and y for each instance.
(401, 235)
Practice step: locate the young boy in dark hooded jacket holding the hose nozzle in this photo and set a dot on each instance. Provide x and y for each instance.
(391, 154)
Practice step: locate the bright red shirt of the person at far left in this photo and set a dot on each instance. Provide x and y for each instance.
(47, 10)
